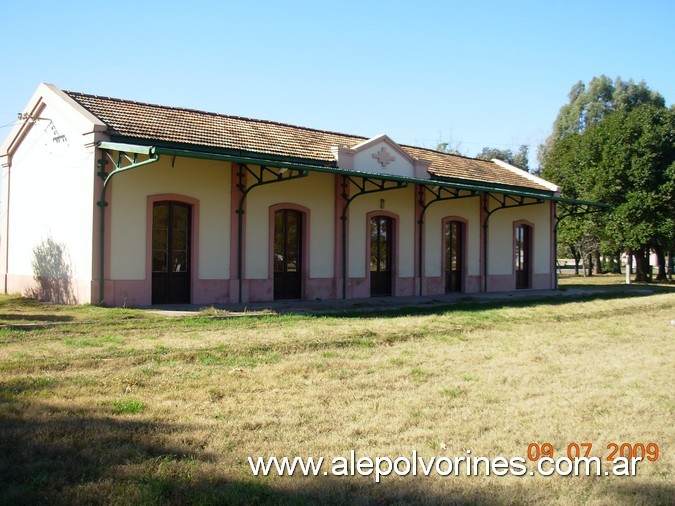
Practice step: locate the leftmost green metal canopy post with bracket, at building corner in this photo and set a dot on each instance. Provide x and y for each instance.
(122, 163)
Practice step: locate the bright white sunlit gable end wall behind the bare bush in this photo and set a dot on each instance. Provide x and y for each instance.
(49, 168)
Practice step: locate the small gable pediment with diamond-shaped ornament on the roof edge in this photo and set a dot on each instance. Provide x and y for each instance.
(381, 155)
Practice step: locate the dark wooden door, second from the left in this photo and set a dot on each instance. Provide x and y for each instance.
(287, 254)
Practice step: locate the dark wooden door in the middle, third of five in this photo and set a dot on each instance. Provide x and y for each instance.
(381, 237)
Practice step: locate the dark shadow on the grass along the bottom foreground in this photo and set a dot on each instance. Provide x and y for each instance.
(75, 455)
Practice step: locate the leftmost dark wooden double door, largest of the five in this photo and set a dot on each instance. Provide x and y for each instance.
(171, 224)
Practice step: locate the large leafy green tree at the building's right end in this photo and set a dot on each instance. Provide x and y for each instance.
(626, 159)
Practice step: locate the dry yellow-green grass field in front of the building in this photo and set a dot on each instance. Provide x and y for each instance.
(108, 406)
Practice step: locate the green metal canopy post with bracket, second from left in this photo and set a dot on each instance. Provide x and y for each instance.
(264, 176)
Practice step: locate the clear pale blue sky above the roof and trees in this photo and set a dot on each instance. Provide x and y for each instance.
(472, 73)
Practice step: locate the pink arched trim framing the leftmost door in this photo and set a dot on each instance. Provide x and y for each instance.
(194, 236)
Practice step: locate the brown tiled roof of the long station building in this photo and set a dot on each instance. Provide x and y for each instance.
(185, 126)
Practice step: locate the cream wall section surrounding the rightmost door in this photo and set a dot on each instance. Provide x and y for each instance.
(500, 245)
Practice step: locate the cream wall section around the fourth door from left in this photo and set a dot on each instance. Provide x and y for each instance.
(469, 209)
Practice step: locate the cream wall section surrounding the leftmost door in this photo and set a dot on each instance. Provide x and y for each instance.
(204, 180)
